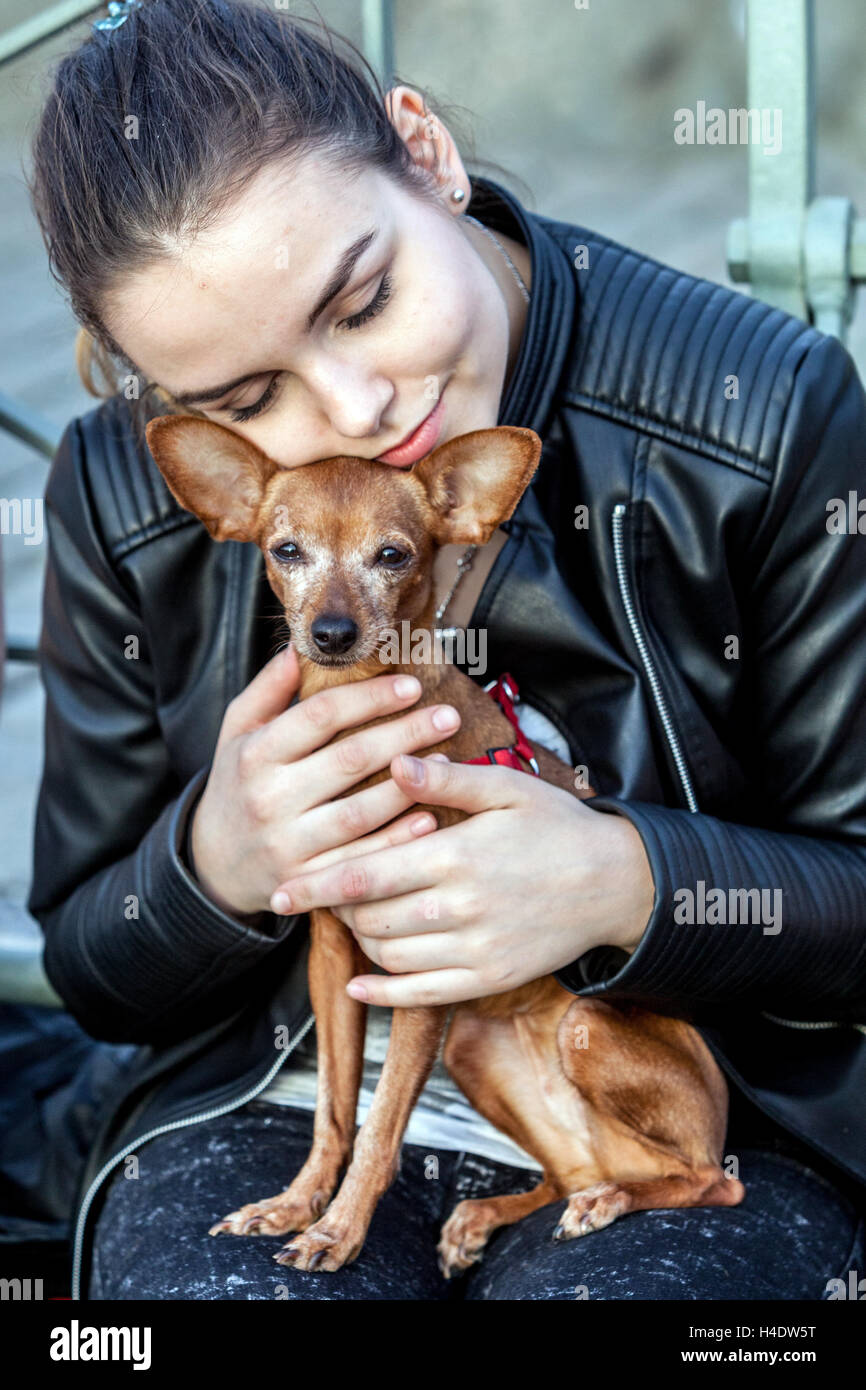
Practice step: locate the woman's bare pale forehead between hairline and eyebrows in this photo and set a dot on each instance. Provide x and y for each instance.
(248, 277)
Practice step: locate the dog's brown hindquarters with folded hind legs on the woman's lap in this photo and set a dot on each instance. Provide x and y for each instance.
(623, 1110)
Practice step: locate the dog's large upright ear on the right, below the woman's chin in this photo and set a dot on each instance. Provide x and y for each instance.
(475, 482)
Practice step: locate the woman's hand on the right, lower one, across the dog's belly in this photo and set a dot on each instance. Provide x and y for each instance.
(523, 888)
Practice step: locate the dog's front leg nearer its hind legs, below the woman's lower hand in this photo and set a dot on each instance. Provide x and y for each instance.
(338, 1236)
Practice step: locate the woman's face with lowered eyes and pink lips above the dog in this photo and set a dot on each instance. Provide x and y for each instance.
(416, 323)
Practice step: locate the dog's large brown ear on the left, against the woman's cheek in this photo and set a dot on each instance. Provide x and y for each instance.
(213, 473)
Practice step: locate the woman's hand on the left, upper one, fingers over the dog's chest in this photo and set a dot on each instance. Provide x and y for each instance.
(269, 811)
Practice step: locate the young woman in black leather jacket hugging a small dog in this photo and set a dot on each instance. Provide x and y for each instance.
(259, 236)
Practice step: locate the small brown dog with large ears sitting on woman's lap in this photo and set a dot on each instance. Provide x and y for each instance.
(633, 1122)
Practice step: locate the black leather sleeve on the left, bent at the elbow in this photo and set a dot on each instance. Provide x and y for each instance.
(133, 946)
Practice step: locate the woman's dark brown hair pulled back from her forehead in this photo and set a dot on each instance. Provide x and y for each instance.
(219, 90)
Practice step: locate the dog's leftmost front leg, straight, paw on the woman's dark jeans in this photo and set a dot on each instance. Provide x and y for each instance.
(340, 1039)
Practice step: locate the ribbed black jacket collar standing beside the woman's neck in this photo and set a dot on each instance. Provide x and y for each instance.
(550, 327)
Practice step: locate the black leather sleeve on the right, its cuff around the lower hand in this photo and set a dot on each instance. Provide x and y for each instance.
(804, 673)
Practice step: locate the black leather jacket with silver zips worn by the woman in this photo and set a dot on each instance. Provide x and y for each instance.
(705, 433)
